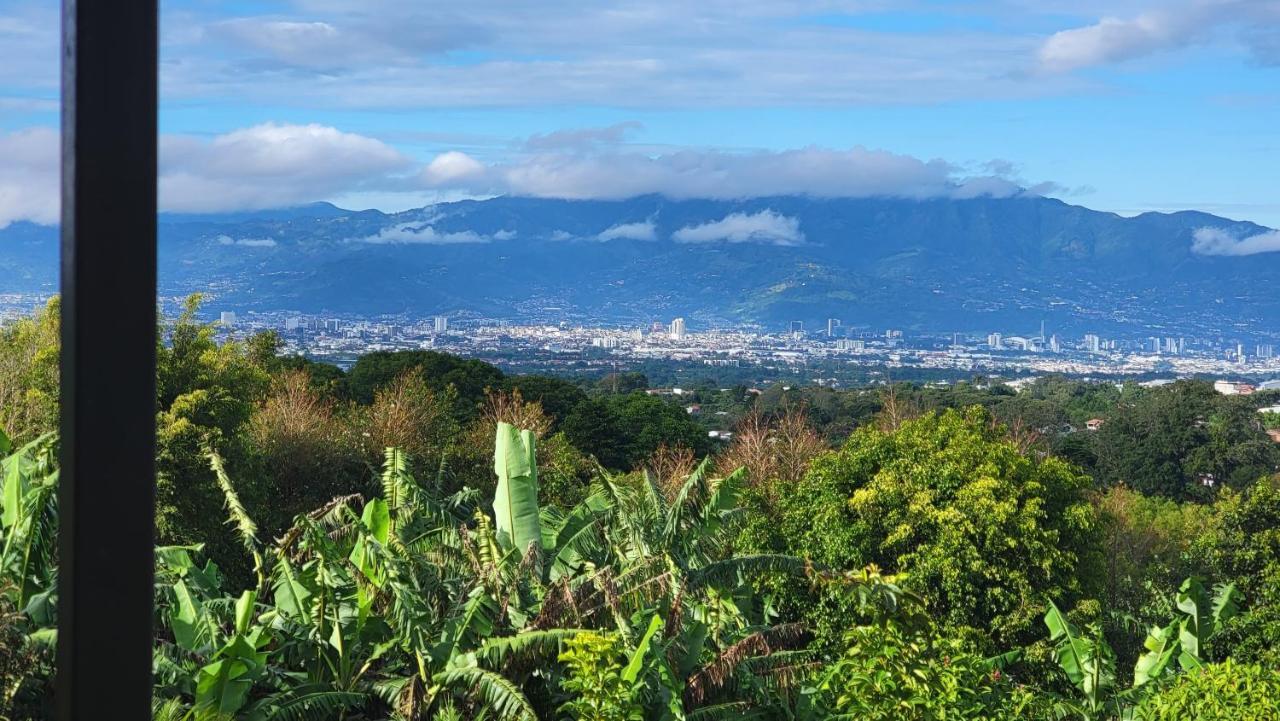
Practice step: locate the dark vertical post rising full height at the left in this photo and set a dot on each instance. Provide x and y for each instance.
(108, 364)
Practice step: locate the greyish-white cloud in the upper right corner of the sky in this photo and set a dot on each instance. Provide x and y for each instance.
(1172, 28)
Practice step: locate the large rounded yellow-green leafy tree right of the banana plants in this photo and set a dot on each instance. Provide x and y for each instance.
(985, 531)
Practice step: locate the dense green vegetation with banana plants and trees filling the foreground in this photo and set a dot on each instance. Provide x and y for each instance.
(427, 537)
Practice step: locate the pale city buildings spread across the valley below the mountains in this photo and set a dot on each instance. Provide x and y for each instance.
(584, 348)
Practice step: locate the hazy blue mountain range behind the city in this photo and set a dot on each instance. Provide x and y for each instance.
(936, 264)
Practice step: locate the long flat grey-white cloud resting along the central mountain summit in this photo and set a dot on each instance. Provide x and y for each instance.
(858, 172)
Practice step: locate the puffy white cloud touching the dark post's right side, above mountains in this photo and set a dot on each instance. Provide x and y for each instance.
(272, 166)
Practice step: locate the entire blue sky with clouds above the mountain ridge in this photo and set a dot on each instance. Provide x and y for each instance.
(1126, 107)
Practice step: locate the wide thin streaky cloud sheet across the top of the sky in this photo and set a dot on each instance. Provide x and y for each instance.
(432, 54)
